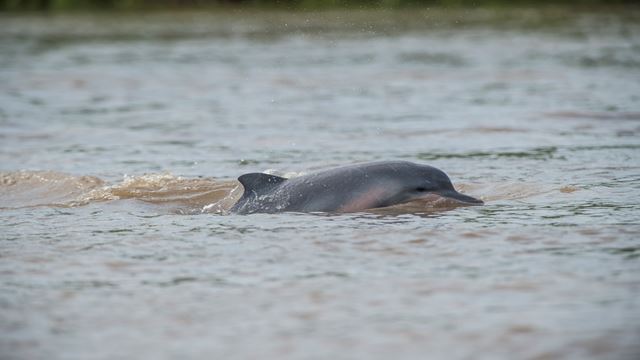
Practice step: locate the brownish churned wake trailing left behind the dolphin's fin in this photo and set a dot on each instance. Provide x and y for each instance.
(48, 188)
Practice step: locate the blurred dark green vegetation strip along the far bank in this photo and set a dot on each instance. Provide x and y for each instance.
(27, 5)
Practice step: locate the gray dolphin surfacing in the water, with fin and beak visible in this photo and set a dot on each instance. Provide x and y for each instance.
(350, 188)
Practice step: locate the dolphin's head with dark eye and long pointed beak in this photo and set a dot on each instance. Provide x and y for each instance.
(410, 181)
